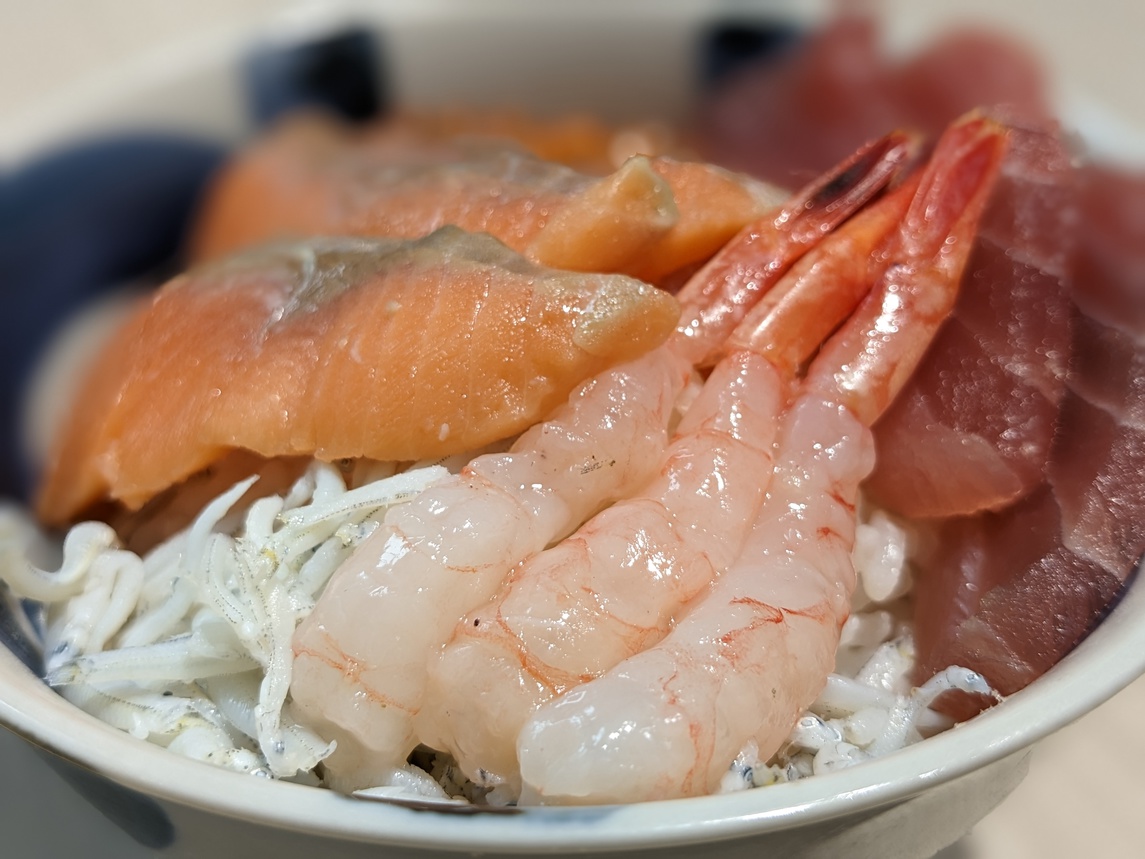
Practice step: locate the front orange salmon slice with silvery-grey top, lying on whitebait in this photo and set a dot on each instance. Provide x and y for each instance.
(338, 349)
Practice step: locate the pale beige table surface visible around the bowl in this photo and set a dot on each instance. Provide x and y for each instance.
(1087, 784)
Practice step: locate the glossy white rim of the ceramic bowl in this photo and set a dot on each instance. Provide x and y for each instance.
(1109, 660)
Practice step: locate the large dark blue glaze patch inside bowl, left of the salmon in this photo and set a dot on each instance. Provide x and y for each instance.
(74, 225)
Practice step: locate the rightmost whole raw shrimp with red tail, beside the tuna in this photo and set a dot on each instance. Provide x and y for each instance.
(752, 653)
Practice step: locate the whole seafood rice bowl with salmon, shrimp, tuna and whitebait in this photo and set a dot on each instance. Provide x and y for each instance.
(572, 484)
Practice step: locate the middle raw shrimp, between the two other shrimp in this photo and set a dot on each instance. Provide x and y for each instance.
(615, 587)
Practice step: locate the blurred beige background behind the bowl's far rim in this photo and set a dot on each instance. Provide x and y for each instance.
(56, 44)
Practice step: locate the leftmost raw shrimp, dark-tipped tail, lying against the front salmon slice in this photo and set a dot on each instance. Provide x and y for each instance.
(362, 656)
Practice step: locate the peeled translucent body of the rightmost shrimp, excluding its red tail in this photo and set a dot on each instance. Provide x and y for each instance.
(745, 663)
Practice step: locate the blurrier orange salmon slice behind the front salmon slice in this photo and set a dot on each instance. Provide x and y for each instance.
(312, 177)
